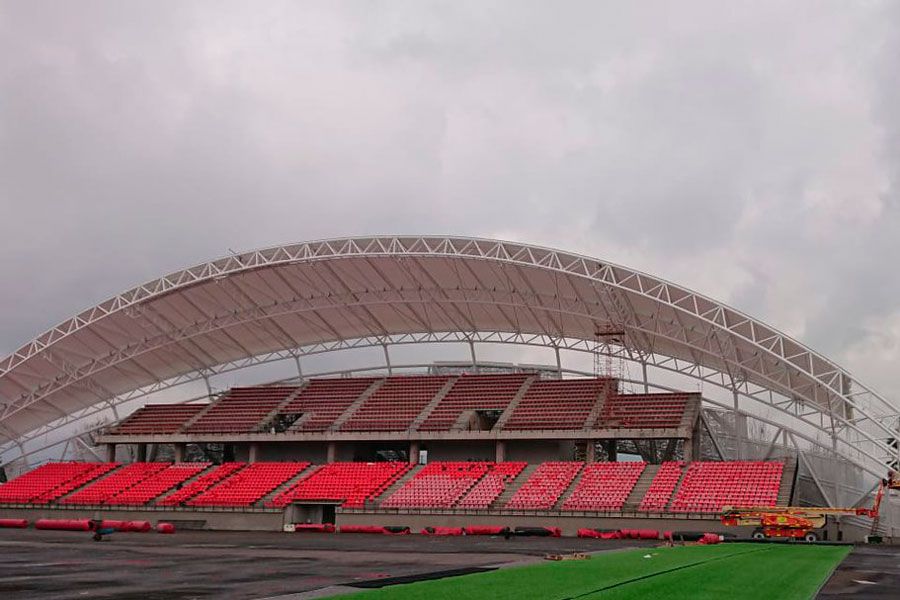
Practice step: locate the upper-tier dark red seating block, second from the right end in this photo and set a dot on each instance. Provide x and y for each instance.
(557, 404)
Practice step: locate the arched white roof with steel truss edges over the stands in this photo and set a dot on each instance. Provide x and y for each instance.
(325, 295)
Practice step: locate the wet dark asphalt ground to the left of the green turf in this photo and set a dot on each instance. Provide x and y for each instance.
(245, 565)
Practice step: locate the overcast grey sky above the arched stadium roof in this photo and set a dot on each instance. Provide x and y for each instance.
(749, 152)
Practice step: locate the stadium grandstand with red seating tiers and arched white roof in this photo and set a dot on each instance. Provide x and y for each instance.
(377, 384)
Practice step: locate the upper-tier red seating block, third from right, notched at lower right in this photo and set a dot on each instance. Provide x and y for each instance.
(473, 392)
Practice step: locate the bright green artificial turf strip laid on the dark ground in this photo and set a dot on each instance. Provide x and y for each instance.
(730, 571)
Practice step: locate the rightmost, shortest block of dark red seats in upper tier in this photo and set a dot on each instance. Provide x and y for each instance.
(643, 411)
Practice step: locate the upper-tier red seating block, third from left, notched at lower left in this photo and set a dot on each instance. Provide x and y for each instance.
(325, 400)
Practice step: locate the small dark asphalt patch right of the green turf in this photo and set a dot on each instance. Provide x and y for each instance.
(870, 572)
